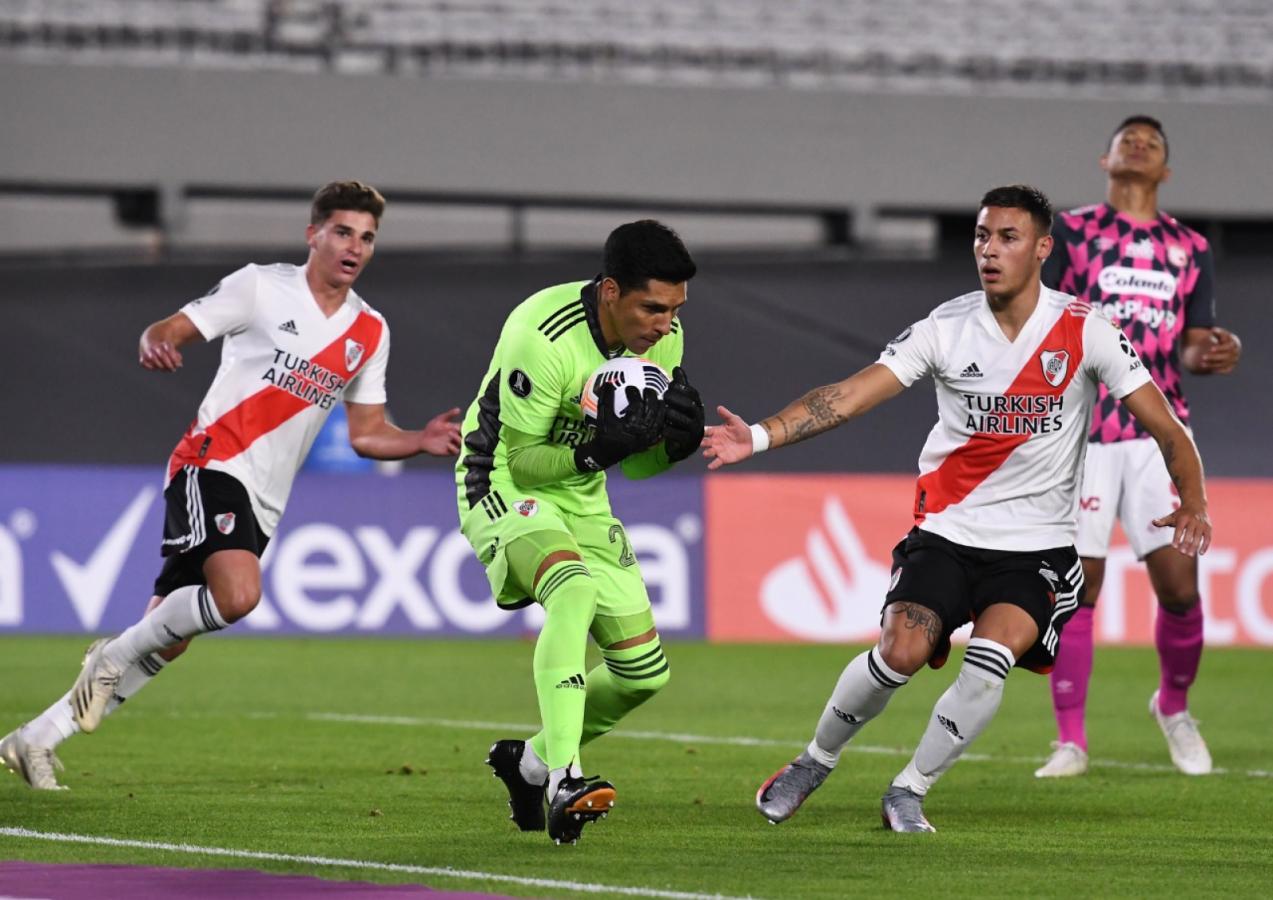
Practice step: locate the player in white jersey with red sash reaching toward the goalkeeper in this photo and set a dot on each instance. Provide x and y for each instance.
(1016, 369)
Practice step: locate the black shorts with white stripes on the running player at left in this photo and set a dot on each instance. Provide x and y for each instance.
(206, 511)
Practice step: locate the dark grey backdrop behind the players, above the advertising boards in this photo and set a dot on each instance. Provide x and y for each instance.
(759, 332)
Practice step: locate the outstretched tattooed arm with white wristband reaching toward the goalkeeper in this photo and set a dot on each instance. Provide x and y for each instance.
(819, 411)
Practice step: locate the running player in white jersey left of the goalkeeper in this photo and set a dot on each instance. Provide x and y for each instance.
(296, 342)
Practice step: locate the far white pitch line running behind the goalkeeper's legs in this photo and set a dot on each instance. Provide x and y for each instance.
(677, 738)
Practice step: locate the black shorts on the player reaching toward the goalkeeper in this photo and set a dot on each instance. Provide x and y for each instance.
(959, 582)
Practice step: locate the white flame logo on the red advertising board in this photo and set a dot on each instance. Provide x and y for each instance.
(833, 593)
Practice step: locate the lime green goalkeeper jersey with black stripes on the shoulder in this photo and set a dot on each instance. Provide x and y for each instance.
(551, 344)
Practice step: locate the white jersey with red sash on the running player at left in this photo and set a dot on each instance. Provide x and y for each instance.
(285, 367)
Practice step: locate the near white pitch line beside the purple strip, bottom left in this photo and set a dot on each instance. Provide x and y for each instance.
(468, 875)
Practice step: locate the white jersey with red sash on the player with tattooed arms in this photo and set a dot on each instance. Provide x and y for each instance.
(1002, 467)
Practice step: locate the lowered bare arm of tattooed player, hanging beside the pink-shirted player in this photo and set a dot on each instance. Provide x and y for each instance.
(1191, 523)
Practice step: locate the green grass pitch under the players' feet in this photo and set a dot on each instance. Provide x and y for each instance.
(243, 745)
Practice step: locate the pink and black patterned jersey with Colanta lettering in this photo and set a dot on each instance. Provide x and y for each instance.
(1151, 278)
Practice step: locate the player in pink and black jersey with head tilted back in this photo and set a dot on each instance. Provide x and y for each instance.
(1151, 276)
